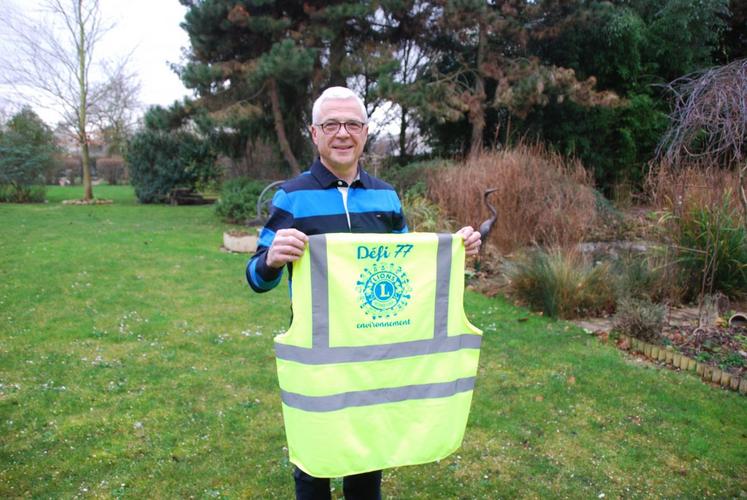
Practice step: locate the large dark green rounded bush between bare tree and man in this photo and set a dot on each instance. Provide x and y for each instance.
(160, 161)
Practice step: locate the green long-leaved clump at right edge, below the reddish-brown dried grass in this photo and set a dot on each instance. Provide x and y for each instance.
(711, 248)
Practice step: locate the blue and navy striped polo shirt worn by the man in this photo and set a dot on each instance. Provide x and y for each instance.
(315, 202)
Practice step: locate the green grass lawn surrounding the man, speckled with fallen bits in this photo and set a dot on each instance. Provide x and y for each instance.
(135, 362)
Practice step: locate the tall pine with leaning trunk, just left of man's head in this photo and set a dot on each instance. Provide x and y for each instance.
(256, 65)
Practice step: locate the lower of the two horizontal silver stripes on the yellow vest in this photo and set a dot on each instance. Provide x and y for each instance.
(377, 396)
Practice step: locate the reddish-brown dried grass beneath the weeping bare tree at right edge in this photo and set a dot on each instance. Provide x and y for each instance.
(680, 190)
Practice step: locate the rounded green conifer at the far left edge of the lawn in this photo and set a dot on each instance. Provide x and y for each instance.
(27, 151)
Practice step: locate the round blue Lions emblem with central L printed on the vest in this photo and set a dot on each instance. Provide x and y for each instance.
(384, 290)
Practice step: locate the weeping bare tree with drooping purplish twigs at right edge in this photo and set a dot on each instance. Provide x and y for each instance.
(709, 121)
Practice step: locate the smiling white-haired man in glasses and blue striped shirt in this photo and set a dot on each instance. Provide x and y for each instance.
(335, 195)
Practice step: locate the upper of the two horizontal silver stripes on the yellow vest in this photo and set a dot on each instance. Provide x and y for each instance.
(321, 356)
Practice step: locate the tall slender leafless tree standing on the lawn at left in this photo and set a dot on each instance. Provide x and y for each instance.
(51, 65)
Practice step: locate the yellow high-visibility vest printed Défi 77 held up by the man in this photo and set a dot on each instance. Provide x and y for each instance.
(378, 366)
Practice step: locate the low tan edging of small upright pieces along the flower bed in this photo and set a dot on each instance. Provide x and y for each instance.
(708, 373)
